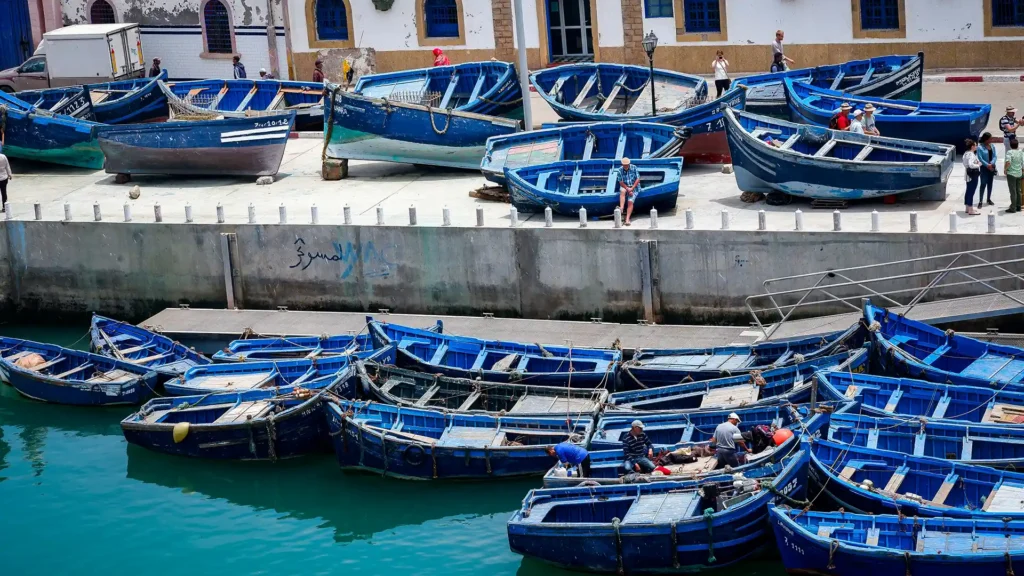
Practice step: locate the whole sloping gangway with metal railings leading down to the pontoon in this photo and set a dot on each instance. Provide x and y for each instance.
(969, 285)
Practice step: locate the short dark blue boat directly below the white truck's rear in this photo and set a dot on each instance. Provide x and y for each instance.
(126, 102)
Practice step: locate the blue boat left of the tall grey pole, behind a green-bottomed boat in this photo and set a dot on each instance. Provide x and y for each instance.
(487, 88)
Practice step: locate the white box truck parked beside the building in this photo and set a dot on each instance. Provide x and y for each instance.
(80, 55)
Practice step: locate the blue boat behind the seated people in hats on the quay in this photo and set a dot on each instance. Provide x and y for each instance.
(931, 122)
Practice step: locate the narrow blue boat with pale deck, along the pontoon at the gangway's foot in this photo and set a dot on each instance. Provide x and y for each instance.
(661, 367)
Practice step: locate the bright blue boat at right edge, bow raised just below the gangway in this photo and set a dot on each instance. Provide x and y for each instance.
(914, 349)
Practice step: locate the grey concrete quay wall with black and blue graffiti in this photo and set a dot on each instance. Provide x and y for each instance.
(134, 270)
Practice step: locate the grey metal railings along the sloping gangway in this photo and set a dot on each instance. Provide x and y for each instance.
(962, 275)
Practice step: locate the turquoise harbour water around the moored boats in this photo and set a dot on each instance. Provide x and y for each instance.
(76, 499)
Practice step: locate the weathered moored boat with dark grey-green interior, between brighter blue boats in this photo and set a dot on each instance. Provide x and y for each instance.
(417, 390)
